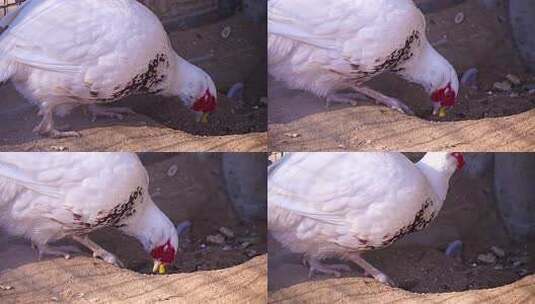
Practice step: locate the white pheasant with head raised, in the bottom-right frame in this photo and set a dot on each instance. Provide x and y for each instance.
(342, 204)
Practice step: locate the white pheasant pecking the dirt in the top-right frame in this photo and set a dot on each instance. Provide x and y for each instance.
(329, 46)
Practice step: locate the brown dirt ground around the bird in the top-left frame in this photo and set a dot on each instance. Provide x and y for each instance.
(163, 124)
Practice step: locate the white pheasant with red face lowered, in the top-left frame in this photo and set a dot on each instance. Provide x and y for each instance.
(61, 54)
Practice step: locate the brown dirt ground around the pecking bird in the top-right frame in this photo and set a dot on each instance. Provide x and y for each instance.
(485, 119)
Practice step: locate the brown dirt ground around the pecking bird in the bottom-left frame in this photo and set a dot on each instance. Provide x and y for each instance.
(196, 194)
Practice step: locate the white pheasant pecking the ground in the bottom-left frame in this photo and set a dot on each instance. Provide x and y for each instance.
(50, 196)
